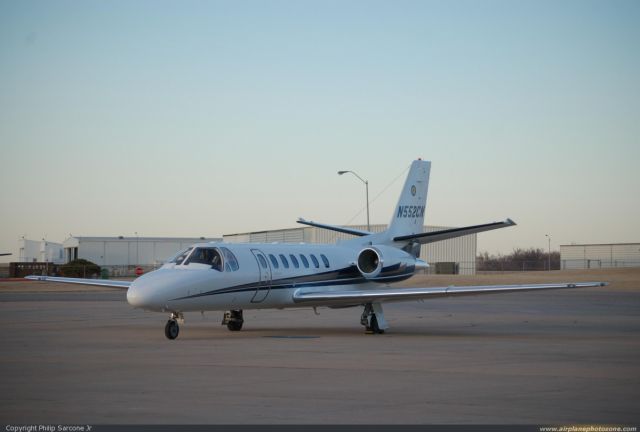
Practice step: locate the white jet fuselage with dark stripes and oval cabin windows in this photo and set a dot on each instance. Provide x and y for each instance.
(258, 276)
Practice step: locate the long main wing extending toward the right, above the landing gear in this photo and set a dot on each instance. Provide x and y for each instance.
(356, 297)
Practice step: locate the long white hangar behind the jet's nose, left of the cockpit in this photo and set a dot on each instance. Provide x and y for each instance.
(127, 251)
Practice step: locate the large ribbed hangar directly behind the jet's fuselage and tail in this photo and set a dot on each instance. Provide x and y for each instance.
(460, 250)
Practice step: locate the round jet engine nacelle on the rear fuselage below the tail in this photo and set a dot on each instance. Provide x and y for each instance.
(382, 261)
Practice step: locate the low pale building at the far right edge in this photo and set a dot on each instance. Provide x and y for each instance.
(600, 255)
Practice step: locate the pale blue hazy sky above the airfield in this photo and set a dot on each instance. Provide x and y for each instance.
(201, 118)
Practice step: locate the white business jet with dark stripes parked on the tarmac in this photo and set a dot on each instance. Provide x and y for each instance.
(231, 277)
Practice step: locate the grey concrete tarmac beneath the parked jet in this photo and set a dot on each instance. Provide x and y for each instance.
(561, 357)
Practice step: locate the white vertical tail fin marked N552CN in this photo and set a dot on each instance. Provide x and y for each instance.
(408, 216)
